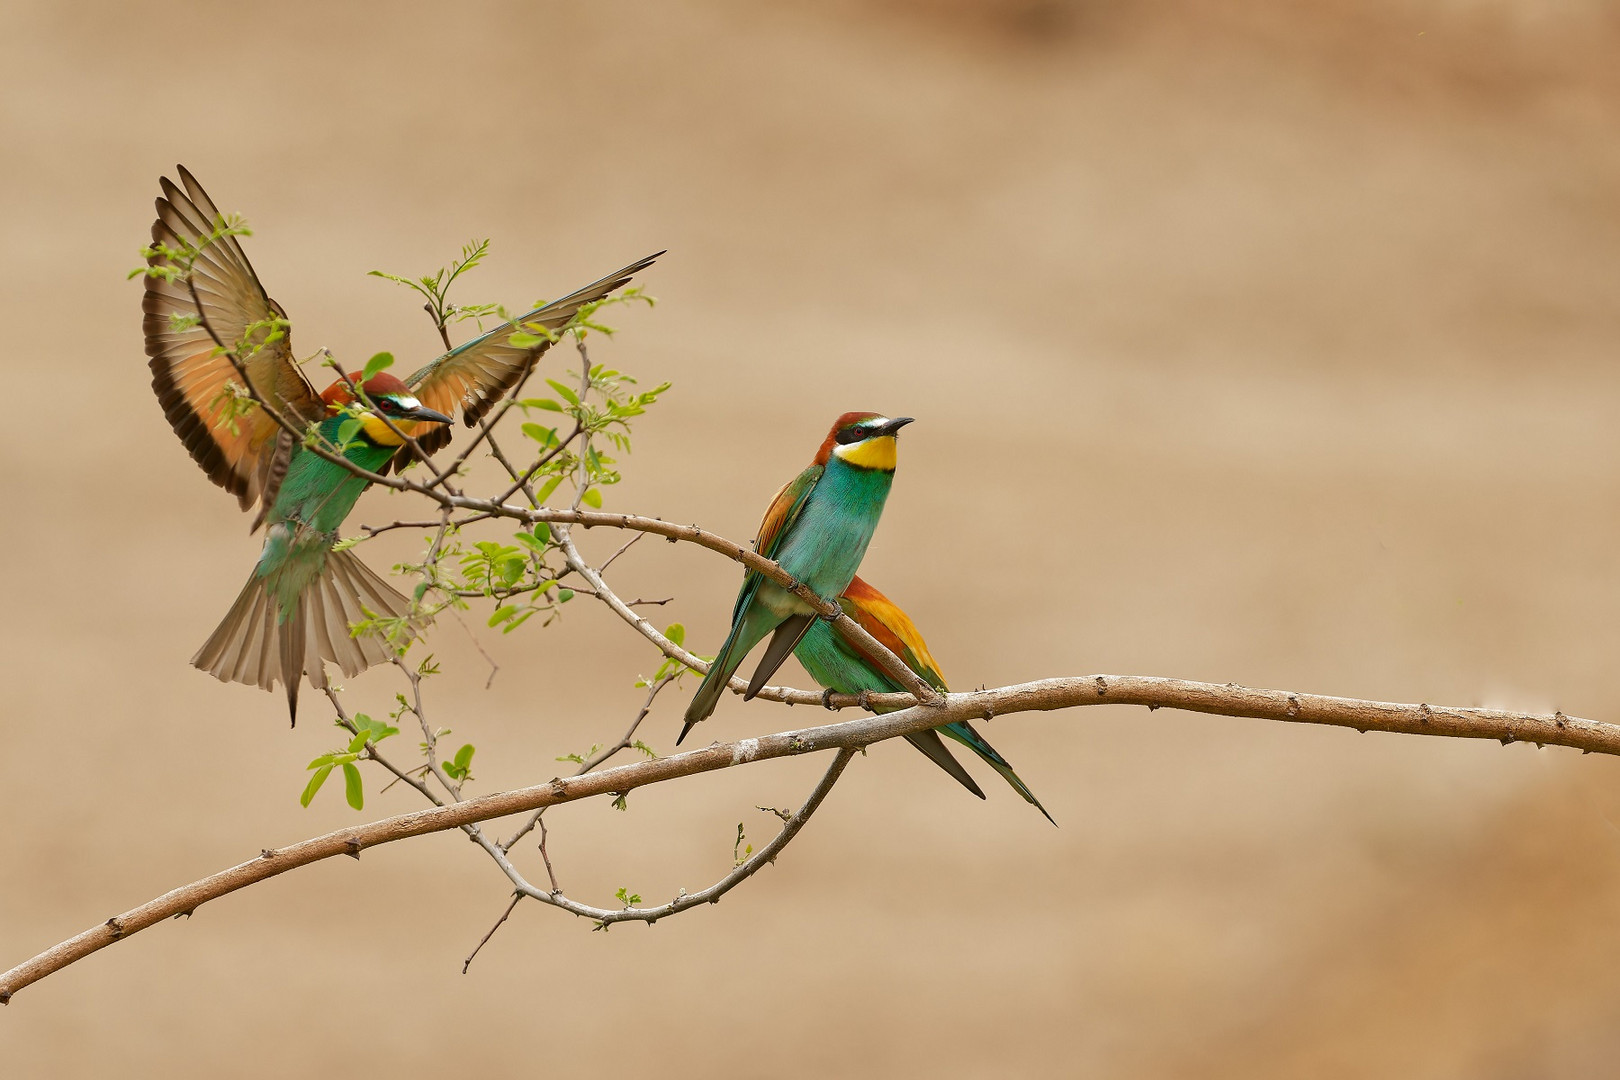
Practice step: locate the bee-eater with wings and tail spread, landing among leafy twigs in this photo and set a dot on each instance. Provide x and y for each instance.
(205, 307)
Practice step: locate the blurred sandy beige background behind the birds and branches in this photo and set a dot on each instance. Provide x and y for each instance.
(1250, 342)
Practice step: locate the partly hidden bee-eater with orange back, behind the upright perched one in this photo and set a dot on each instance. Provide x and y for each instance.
(838, 665)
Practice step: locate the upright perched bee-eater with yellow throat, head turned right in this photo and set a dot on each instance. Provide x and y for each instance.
(817, 529)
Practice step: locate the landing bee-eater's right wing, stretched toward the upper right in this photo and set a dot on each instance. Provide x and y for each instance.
(474, 376)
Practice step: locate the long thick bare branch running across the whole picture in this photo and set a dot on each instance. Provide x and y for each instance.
(1052, 694)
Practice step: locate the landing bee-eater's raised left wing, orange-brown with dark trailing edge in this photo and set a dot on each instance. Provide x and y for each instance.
(220, 299)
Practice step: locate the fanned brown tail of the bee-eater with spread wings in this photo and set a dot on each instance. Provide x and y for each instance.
(260, 647)
